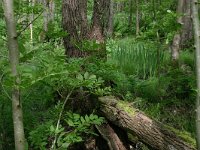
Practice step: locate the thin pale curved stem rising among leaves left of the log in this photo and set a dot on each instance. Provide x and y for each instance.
(59, 118)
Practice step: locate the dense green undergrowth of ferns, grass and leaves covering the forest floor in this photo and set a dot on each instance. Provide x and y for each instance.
(162, 91)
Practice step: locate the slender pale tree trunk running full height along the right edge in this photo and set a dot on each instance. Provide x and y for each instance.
(197, 46)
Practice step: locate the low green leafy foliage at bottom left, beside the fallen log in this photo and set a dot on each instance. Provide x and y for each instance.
(77, 126)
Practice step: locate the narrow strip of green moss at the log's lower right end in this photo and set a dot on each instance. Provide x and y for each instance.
(183, 135)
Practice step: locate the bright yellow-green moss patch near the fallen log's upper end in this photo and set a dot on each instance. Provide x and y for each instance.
(127, 108)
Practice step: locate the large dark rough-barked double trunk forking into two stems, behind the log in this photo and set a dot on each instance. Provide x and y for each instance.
(75, 23)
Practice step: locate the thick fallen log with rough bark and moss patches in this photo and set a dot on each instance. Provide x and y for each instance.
(150, 132)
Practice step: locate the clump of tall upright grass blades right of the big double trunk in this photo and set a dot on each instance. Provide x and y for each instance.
(141, 58)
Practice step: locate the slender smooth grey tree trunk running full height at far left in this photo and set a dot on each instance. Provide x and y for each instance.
(14, 62)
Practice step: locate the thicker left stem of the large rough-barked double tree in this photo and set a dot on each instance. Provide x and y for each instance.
(74, 22)
